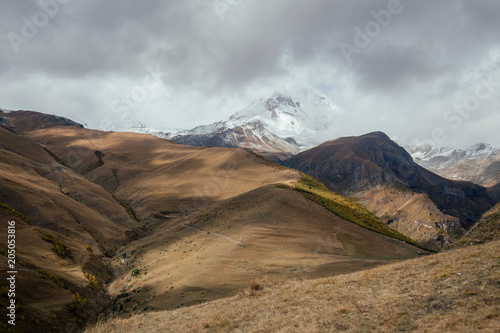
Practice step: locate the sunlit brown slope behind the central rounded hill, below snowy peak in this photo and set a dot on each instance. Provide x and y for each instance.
(158, 178)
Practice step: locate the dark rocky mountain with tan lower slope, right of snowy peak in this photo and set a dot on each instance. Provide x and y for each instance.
(384, 177)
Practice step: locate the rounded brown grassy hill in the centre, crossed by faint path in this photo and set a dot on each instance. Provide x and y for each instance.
(218, 251)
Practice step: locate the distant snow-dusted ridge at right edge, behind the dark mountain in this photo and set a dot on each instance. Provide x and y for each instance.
(479, 163)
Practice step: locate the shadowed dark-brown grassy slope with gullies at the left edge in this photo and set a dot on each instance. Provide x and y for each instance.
(64, 227)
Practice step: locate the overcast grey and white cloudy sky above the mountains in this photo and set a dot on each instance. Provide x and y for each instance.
(417, 70)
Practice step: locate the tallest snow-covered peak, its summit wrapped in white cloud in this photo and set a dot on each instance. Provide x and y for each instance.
(284, 123)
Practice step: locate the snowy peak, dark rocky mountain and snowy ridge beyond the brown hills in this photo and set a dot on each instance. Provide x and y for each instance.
(288, 128)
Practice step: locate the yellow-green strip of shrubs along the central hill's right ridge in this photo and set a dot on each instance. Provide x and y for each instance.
(348, 209)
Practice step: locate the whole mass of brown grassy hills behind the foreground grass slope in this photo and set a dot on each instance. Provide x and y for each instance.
(119, 223)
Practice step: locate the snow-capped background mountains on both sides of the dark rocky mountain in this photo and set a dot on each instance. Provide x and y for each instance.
(289, 122)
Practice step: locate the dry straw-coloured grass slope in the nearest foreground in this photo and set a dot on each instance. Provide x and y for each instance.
(455, 291)
